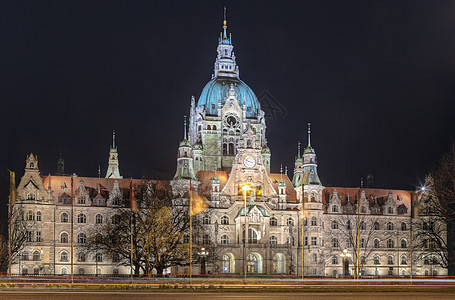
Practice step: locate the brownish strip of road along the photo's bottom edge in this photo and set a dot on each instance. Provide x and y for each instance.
(71, 295)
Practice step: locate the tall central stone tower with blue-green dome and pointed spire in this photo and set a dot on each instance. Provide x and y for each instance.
(222, 112)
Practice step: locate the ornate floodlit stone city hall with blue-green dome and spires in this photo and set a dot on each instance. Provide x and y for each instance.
(225, 158)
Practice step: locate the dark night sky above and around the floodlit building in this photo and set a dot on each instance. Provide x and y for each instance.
(375, 79)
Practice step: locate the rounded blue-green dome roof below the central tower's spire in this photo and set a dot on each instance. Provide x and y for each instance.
(218, 88)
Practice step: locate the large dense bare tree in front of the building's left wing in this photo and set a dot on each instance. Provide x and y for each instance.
(155, 231)
